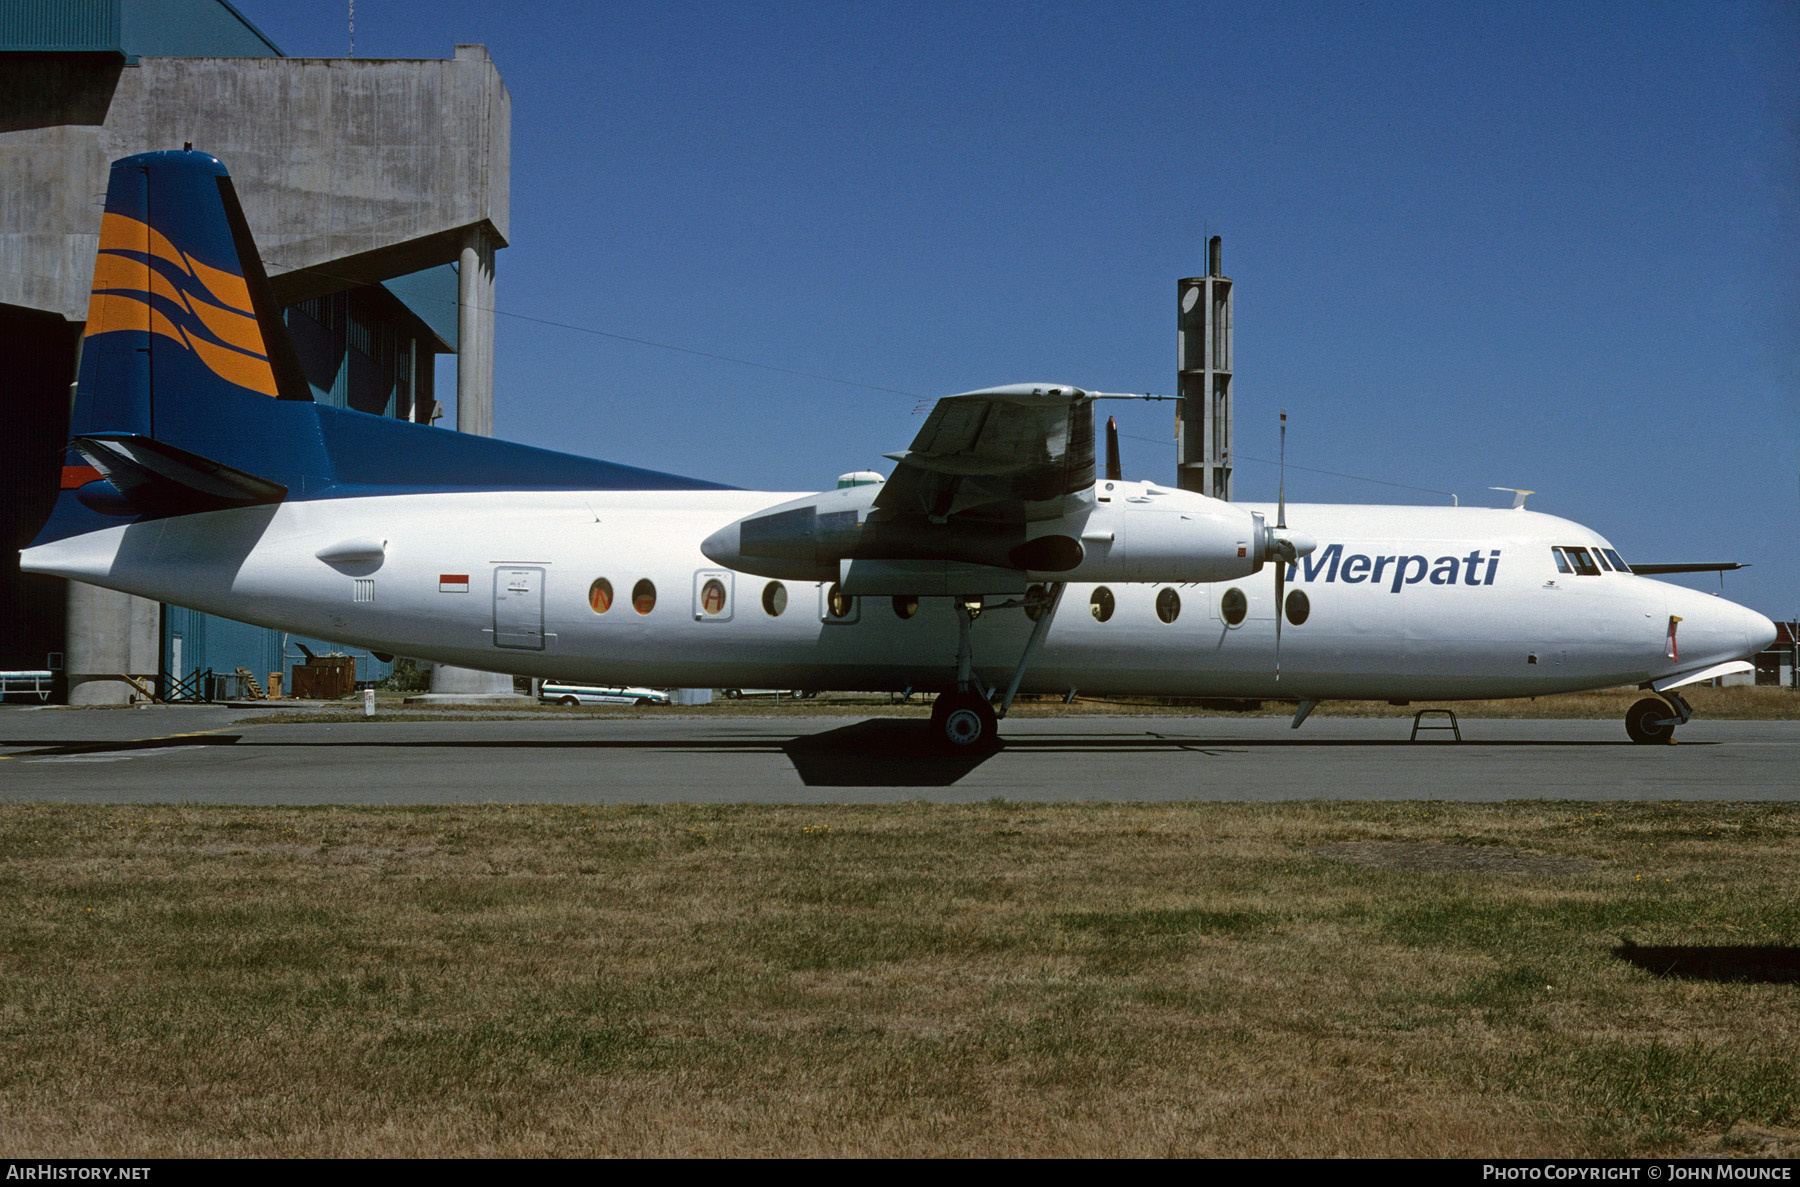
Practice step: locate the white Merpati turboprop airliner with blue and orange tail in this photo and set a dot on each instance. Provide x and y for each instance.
(991, 563)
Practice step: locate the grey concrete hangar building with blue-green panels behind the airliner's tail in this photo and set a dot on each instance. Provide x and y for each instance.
(377, 192)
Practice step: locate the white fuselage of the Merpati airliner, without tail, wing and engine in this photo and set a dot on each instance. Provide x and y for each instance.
(1403, 603)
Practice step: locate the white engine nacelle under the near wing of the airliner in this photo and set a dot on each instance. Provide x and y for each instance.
(1128, 532)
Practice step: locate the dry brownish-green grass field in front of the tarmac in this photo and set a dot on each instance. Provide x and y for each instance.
(1302, 979)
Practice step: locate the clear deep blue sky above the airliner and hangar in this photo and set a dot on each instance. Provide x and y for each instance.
(1547, 246)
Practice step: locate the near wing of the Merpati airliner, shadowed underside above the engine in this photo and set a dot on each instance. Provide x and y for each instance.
(1000, 457)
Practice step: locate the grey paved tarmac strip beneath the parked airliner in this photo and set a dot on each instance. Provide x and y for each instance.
(222, 756)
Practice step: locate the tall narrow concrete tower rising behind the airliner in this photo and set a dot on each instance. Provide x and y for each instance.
(1203, 381)
